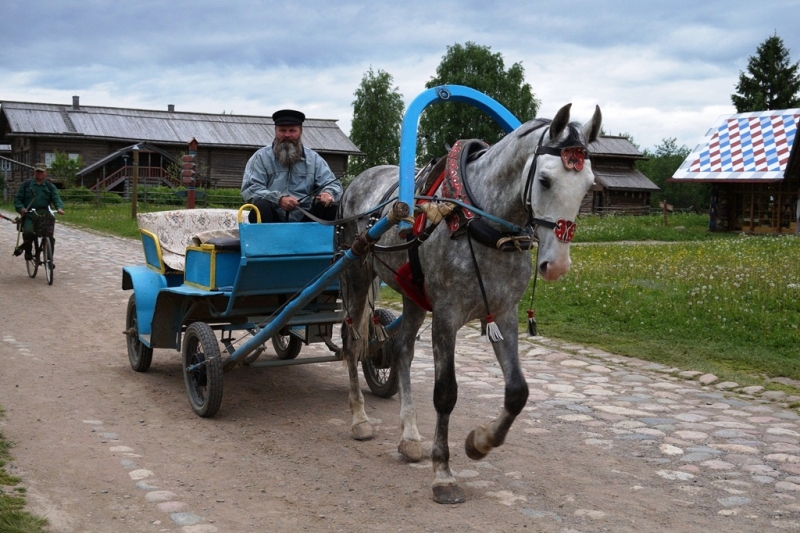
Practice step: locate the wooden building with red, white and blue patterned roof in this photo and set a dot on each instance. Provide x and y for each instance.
(752, 162)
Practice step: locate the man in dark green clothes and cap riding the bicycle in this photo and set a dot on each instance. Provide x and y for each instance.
(37, 193)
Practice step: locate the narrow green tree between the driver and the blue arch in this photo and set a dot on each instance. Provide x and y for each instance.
(377, 119)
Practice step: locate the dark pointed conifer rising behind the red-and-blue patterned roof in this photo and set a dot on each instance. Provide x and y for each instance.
(773, 82)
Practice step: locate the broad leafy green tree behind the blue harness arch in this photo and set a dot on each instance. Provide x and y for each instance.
(477, 67)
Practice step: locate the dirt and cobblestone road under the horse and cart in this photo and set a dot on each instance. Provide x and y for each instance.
(605, 444)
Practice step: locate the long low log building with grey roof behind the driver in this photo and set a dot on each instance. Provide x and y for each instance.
(106, 137)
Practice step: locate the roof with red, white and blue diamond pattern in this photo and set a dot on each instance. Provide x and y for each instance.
(748, 147)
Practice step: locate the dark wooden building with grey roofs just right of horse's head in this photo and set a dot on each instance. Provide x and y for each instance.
(619, 187)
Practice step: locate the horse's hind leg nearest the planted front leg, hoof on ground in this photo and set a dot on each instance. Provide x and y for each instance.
(410, 446)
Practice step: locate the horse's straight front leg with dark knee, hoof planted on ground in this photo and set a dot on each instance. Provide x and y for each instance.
(445, 394)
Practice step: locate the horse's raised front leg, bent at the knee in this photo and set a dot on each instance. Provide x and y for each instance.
(482, 439)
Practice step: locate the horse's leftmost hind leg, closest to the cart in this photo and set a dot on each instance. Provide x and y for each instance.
(355, 285)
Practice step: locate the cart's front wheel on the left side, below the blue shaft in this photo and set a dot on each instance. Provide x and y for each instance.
(202, 369)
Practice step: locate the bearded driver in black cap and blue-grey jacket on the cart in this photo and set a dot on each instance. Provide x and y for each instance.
(286, 175)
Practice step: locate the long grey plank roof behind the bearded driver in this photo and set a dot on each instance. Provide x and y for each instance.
(163, 127)
